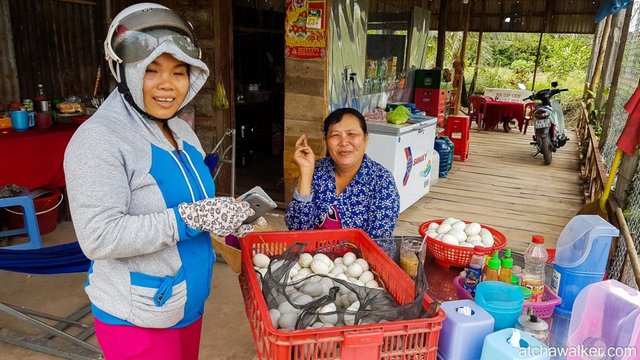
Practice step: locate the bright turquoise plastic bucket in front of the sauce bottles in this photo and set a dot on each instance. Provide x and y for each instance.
(503, 301)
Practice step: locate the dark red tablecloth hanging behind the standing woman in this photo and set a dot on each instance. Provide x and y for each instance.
(33, 158)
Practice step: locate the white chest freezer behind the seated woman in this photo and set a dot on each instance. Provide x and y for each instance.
(405, 150)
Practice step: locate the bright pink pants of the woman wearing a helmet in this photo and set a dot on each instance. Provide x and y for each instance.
(119, 342)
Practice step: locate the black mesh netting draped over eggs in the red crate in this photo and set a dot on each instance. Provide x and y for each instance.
(335, 301)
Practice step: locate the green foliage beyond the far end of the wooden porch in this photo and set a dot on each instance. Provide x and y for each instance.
(509, 58)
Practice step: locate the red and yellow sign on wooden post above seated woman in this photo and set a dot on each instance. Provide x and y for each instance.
(305, 29)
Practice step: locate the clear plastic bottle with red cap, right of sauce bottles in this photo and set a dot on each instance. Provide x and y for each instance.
(535, 259)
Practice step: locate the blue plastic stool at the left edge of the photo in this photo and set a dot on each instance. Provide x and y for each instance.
(30, 220)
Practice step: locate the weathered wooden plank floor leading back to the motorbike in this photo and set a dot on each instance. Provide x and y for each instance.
(503, 186)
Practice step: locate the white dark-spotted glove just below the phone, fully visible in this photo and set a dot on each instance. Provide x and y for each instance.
(220, 215)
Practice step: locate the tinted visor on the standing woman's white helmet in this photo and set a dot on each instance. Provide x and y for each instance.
(138, 34)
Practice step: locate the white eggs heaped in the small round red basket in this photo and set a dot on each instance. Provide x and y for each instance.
(456, 232)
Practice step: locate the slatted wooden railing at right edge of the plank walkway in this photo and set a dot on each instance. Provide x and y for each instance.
(594, 175)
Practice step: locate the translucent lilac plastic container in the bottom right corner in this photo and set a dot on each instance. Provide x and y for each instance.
(606, 316)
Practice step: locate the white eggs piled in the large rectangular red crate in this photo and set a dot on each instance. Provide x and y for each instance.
(311, 278)
